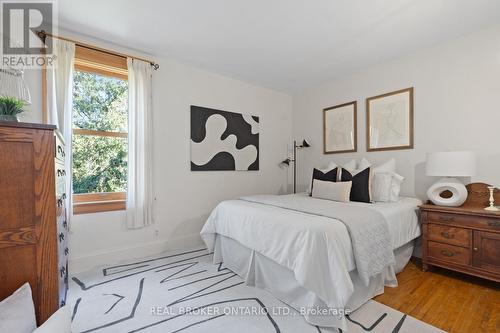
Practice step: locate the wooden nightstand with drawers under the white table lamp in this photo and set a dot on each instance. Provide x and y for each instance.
(464, 239)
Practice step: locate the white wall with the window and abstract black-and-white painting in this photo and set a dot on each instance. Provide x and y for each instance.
(184, 198)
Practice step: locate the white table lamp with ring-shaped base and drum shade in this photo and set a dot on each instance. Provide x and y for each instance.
(448, 165)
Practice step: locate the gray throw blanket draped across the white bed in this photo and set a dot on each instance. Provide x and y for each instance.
(370, 237)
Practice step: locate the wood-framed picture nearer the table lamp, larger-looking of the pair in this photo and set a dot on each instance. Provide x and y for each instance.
(389, 121)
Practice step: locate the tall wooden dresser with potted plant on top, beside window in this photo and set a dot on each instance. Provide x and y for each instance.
(33, 226)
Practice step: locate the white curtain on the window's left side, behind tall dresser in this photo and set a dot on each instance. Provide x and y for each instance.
(60, 105)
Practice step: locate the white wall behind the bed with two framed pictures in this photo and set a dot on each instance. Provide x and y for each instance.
(457, 91)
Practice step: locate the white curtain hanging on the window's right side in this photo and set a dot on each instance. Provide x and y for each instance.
(139, 185)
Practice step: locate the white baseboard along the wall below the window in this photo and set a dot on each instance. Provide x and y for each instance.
(85, 263)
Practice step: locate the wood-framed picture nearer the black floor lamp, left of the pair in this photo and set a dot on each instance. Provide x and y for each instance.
(340, 129)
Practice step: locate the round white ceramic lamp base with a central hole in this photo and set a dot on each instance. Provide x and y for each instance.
(457, 189)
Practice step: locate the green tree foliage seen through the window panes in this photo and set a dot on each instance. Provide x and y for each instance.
(99, 163)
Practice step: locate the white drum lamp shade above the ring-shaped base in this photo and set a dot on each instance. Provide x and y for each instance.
(451, 164)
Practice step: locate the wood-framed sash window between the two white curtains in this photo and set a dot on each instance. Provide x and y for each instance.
(100, 115)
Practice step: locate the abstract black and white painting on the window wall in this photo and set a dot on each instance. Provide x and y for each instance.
(222, 140)
